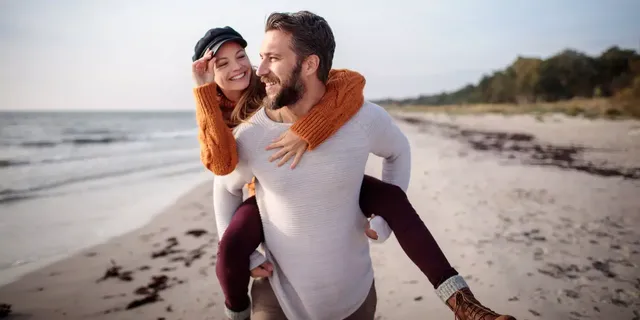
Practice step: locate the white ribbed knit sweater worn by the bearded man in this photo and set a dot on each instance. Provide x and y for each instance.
(313, 226)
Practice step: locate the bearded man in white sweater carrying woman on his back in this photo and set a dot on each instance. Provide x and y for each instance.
(313, 227)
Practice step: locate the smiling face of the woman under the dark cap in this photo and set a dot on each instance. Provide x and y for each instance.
(232, 67)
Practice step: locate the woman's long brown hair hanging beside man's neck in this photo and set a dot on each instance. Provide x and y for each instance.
(249, 102)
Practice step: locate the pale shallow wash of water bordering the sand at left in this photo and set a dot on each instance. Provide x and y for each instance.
(85, 219)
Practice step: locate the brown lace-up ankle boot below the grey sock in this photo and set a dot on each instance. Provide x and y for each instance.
(466, 307)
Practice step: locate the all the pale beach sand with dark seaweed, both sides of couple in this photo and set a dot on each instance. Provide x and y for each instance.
(538, 228)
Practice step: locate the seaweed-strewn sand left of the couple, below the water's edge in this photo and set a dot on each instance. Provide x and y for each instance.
(103, 280)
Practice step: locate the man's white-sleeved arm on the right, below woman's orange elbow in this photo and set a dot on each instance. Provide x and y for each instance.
(388, 142)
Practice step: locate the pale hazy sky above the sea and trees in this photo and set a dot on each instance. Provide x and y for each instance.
(136, 55)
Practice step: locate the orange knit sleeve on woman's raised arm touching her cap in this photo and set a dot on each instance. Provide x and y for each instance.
(217, 145)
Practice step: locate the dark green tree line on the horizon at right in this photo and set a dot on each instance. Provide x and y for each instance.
(563, 76)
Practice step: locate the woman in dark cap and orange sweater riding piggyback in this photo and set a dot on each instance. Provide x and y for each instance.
(228, 92)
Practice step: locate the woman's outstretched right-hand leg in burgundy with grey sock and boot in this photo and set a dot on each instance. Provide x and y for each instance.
(391, 203)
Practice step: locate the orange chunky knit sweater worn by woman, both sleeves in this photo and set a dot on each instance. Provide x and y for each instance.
(343, 99)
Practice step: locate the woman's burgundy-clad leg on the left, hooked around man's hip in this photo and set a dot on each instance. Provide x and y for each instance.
(240, 239)
